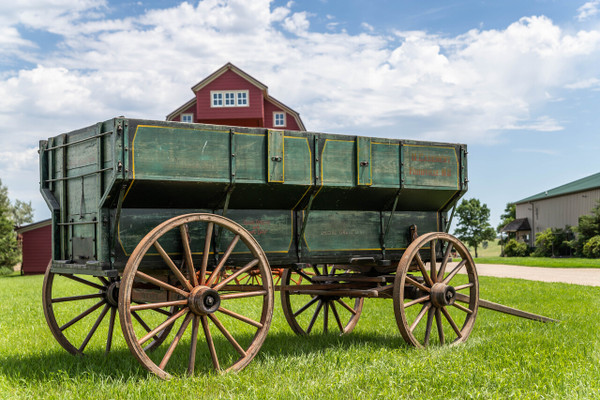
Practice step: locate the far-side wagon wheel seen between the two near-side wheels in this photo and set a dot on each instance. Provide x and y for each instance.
(305, 311)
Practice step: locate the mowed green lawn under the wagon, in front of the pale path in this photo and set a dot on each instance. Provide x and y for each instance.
(505, 356)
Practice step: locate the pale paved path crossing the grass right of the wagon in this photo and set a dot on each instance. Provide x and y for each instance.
(578, 276)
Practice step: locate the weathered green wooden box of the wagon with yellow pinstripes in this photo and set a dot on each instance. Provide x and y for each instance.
(266, 178)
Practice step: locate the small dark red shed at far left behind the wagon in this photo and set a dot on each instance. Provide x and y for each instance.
(36, 241)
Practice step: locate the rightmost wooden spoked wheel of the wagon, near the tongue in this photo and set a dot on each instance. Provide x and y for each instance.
(427, 291)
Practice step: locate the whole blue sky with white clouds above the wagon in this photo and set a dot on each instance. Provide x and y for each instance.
(517, 81)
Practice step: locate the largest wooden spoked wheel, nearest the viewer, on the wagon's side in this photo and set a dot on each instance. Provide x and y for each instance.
(205, 299)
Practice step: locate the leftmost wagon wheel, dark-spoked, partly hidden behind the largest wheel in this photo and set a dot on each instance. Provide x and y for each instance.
(71, 301)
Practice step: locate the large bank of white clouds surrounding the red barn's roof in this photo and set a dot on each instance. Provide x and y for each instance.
(469, 88)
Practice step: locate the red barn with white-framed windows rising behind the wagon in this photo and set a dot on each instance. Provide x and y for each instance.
(230, 96)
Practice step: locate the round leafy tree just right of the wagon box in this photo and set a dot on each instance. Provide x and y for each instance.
(473, 225)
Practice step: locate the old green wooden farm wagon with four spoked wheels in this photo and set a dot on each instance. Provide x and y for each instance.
(180, 228)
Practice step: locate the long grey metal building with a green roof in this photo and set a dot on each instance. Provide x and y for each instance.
(558, 207)
